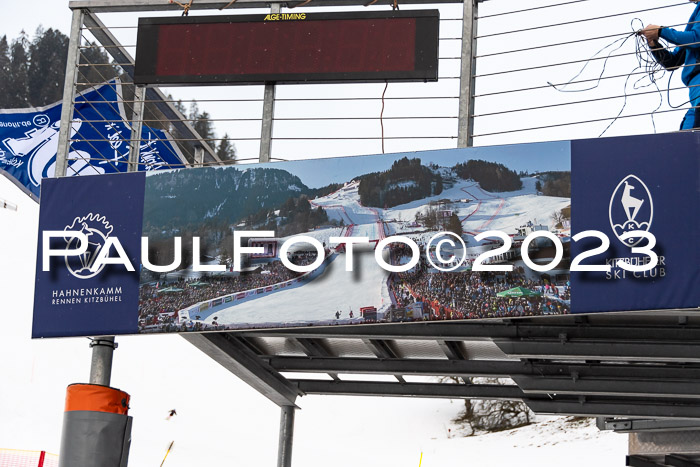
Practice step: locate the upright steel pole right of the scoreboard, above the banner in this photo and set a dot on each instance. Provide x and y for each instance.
(467, 72)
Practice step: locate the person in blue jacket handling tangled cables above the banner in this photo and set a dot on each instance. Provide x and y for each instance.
(686, 55)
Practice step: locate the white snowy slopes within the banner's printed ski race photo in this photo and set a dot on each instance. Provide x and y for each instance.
(338, 290)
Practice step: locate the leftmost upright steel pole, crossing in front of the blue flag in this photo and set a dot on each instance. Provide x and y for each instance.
(69, 94)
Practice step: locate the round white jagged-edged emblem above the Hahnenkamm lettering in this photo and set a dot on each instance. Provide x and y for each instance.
(97, 229)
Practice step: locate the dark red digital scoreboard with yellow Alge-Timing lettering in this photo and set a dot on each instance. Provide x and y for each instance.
(288, 48)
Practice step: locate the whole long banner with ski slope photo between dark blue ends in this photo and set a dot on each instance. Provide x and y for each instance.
(605, 225)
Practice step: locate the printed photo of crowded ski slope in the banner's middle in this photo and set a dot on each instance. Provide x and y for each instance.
(514, 190)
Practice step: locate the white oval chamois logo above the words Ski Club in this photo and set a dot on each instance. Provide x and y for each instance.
(631, 208)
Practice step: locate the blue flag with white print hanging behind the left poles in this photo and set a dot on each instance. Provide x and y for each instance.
(99, 134)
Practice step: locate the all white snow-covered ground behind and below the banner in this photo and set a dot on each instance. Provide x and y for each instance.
(221, 420)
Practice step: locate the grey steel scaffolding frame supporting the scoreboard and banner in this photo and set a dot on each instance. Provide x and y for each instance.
(632, 365)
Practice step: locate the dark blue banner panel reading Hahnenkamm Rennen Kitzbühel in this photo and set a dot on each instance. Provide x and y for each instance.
(69, 300)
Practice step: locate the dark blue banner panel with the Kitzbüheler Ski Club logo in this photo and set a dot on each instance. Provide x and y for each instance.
(641, 182)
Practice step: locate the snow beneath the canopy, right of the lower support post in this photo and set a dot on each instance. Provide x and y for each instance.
(390, 437)
